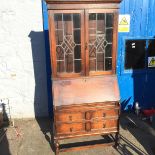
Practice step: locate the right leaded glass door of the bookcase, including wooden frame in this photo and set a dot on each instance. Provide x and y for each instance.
(101, 41)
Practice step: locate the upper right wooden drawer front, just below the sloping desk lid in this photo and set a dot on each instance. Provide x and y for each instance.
(104, 113)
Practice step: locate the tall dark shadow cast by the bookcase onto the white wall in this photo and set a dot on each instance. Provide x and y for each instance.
(43, 96)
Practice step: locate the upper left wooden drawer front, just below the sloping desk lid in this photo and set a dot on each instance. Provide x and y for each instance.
(69, 116)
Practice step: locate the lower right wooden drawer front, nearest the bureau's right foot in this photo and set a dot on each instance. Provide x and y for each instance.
(104, 124)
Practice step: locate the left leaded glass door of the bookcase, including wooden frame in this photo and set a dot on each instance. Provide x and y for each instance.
(67, 35)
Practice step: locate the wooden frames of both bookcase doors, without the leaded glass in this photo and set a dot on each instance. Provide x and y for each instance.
(84, 14)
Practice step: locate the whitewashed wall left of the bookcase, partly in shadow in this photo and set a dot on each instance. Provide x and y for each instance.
(22, 58)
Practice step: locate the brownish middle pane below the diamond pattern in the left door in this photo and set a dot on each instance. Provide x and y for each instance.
(69, 63)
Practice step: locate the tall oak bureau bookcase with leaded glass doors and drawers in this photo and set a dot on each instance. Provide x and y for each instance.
(83, 49)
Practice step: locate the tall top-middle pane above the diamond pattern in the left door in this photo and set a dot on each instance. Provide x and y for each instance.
(68, 24)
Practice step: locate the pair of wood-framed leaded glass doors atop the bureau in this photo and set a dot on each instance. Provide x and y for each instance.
(83, 42)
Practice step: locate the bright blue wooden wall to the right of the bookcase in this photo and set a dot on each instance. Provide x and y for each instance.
(136, 85)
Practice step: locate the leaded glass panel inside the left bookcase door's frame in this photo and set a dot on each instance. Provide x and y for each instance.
(68, 42)
